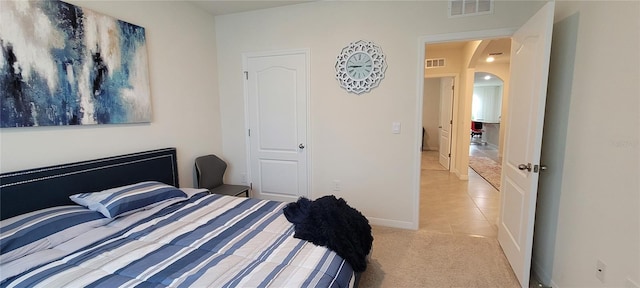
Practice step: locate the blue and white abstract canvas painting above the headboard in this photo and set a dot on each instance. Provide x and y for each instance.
(64, 65)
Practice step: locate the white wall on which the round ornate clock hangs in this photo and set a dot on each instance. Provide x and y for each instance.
(351, 137)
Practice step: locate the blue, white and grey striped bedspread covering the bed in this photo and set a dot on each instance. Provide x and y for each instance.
(206, 241)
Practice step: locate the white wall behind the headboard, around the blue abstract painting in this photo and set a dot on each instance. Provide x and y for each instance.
(184, 95)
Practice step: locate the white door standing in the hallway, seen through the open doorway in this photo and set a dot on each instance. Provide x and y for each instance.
(446, 111)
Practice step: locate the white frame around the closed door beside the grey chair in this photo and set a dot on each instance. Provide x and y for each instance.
(308, 147)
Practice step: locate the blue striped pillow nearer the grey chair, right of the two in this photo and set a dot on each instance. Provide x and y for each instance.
(128, 199)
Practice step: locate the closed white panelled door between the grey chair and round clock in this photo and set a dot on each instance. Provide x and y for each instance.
(277, 93)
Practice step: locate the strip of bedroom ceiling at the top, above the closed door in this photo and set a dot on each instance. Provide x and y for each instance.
(216, 7)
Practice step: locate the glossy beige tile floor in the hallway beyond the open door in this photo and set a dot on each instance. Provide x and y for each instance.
(450, 205)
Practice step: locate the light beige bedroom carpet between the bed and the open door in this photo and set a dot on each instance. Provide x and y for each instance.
(407, 258)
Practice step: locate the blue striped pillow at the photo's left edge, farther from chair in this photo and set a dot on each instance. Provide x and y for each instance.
(28, 233)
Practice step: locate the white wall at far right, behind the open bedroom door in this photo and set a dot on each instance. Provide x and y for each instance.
(589, 199)
